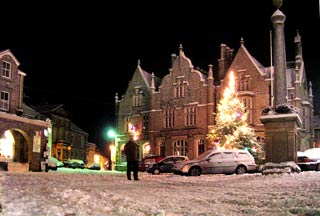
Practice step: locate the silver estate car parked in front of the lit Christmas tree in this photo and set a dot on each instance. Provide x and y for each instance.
(221, 161)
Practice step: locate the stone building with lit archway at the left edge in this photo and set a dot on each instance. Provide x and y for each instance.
(22, 137)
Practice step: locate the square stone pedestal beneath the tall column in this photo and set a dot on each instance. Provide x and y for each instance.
(281, 137)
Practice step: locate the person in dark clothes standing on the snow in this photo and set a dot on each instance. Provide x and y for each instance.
(131, 151)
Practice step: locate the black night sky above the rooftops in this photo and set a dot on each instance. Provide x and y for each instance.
(82, 54)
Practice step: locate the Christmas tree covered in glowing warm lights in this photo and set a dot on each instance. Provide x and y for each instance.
(231, 130)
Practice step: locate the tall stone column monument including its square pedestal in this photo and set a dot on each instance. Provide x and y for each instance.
(281, 125)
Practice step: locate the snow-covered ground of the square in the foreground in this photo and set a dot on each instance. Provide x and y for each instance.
(78, 193)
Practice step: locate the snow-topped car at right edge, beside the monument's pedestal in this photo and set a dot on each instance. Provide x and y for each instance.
(309, 159)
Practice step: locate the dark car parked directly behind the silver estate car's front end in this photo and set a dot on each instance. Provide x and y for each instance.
(165, 165)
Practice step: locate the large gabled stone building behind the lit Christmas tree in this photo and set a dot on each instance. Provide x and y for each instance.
(174, 114)
